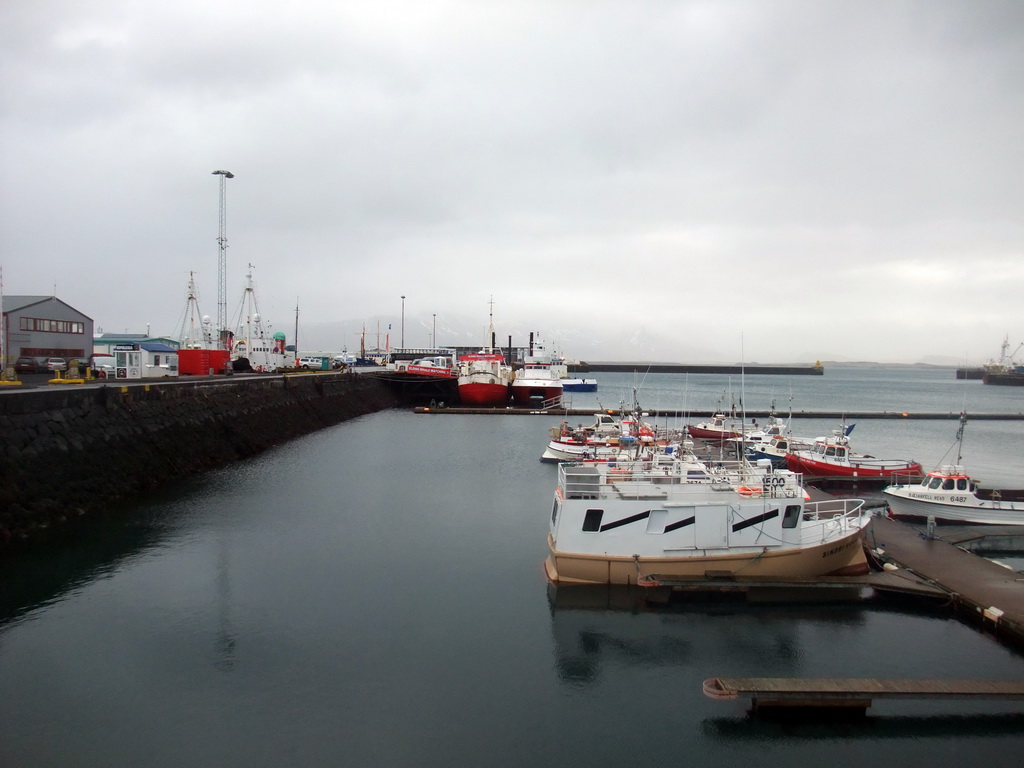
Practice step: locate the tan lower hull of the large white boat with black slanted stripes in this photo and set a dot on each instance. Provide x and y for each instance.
(840, 558)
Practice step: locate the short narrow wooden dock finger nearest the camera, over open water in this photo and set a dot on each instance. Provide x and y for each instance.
(854, 693)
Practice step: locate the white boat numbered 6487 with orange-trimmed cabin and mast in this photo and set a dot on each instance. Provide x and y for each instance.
(951, 495)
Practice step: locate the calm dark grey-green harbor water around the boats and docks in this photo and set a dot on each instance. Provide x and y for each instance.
(373, 594)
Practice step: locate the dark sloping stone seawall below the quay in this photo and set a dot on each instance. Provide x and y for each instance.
(69, 452)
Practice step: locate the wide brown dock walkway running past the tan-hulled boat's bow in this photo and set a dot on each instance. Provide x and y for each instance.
(980, 589)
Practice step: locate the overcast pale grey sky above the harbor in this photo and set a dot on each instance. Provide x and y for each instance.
(769, 182)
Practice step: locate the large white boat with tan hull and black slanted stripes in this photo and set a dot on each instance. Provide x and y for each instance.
(673, 517)
